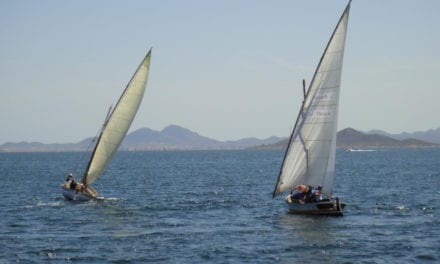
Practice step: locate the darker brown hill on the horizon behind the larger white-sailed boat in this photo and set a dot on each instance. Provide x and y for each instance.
(351, 138)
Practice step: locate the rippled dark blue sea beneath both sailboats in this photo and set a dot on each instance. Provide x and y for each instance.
(217, 207)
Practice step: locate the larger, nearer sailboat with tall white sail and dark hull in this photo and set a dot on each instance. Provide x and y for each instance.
(310, 154)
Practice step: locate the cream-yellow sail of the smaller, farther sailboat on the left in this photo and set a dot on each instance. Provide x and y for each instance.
(119, 121)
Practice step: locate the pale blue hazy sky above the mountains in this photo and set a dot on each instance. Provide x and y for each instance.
(224, 69)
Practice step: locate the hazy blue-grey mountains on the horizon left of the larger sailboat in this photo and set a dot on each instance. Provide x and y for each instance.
(170, 138)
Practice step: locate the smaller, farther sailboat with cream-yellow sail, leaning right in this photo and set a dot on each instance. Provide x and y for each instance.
(113, 131)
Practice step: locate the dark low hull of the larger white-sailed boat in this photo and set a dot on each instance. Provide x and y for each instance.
(326, 207)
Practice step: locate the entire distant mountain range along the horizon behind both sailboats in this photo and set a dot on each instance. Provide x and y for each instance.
(178, 138)
